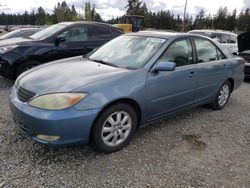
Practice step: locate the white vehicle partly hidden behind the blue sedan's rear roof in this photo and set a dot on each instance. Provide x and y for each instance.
(226, 38)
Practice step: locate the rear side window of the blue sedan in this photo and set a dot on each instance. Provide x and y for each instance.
(206, 51)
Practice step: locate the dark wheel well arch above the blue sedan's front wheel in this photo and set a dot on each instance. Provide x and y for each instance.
(131, 102)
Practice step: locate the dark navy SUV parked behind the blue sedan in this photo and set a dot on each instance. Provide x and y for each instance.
(58, 41)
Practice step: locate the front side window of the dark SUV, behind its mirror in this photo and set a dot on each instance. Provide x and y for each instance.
(78, 33)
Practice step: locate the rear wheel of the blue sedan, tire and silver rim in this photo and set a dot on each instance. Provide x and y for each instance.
(222, 96)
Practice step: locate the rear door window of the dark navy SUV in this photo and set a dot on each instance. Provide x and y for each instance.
(100, 33)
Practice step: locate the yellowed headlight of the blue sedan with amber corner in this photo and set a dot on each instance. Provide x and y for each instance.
(57, 101)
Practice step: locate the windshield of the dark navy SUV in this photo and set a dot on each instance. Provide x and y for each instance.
(47, 32)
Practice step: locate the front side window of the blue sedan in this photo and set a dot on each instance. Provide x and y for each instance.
(180, 52)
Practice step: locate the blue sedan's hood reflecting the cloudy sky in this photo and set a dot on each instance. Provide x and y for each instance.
(66, 75)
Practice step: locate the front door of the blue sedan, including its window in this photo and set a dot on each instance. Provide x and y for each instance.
(172, 90)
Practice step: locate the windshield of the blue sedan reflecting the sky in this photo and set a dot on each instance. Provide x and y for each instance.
(131, 52)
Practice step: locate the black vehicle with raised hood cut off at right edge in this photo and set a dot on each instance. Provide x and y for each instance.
(244, 51)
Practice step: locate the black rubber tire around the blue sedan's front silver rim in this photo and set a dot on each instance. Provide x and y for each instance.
(96, 137)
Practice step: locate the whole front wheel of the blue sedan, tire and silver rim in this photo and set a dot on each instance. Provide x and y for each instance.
(114, 128)
